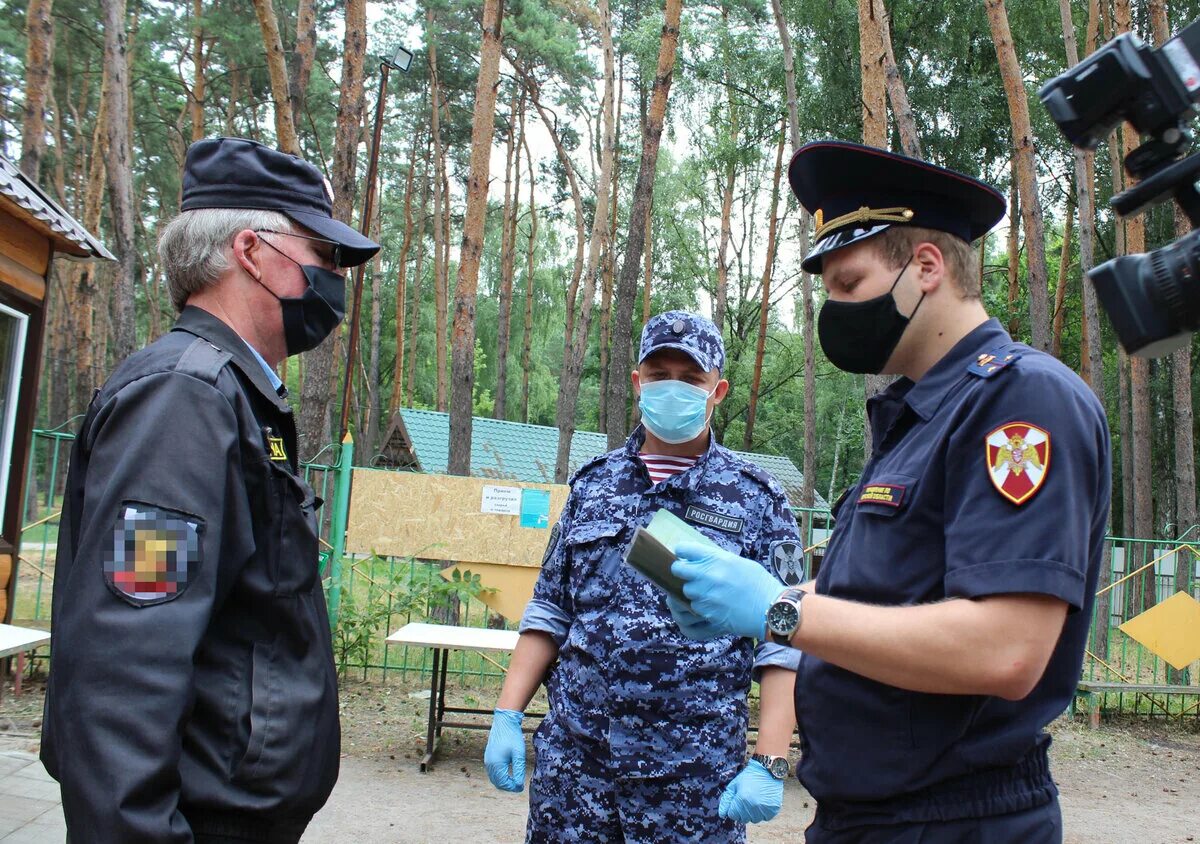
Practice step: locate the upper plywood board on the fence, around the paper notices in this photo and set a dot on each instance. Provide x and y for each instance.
(437, 517)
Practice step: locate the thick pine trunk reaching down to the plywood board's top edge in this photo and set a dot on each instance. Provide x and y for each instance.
(466, 290)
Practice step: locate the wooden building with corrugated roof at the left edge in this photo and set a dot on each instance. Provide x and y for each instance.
(34, 230)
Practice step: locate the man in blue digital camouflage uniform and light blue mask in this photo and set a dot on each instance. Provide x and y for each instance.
(646, 733)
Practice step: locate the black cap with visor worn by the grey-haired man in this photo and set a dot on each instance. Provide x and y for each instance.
(241, 173)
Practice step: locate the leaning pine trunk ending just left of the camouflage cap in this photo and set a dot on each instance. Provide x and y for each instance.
(627, 283)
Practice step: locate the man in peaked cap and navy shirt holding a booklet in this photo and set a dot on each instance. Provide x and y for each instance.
(947, 625)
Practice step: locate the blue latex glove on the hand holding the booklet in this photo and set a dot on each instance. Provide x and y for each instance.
(730, 592)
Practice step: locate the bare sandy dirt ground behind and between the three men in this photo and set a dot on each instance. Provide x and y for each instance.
(1133, 782)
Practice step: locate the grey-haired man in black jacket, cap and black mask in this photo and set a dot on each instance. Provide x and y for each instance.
(193, 695)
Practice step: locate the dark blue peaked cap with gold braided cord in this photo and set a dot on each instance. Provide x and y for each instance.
(856, 193)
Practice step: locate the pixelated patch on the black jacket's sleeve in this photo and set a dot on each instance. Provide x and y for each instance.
(155, 554)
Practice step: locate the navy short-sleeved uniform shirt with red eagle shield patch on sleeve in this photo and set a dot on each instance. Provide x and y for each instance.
(991, 476)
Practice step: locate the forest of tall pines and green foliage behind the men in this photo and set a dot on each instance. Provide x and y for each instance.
(551, 172)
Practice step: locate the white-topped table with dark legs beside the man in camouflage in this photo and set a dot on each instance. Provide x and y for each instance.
(443, 639)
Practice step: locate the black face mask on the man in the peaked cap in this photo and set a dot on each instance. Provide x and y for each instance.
(860, 337)
